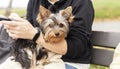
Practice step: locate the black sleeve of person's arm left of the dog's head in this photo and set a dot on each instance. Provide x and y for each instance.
(32, 12)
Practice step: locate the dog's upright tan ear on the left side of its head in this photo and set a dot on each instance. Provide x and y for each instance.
(43, 14)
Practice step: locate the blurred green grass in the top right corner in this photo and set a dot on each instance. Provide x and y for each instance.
(107, 8)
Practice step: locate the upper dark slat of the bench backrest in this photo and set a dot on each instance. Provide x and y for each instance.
(107, 39)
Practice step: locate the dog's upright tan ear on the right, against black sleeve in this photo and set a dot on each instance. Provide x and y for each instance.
(67, 13)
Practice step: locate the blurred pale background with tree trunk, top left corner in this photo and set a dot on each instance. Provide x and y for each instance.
(13, 6)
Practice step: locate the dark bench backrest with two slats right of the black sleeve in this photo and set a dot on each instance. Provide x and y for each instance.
(104, 44)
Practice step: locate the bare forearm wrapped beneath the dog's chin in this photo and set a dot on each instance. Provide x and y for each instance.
(60, 47)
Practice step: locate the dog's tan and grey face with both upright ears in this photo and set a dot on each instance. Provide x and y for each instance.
(55, 26)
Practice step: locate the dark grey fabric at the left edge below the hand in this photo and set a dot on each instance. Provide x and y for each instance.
(6, 44)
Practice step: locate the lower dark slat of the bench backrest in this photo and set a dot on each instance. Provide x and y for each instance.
(102, 56)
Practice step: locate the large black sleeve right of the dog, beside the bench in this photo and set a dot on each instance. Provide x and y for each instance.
(78, 39)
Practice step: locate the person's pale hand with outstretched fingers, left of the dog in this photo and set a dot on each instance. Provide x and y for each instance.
(19, 28)
